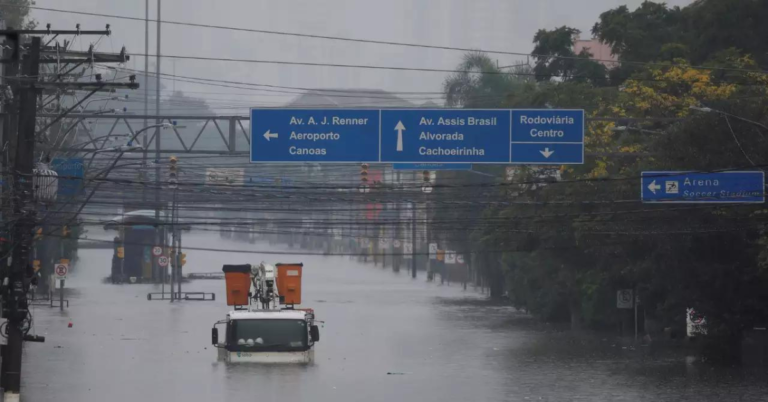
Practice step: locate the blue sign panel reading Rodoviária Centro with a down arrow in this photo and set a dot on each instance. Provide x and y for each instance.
(547, 136)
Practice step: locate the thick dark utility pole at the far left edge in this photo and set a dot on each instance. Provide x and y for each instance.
(24, 212)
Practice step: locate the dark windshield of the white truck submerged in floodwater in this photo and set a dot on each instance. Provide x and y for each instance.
(269, 334)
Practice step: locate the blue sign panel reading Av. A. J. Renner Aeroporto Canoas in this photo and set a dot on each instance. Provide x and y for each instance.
(314, 135)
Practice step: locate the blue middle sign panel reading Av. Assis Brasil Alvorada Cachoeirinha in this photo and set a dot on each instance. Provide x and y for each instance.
(445, 135)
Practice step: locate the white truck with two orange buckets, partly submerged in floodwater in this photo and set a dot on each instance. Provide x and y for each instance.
(265, 326)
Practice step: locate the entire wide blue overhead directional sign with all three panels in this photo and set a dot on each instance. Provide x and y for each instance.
(415, 136)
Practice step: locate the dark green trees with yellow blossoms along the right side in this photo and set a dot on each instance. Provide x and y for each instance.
(569, 246)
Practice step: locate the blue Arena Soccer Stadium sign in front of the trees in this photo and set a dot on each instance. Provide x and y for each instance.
(692, 187)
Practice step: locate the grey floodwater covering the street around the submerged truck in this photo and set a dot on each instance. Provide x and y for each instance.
(442, 344)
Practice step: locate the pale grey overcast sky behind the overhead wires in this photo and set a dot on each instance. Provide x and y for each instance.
(507, 25)
